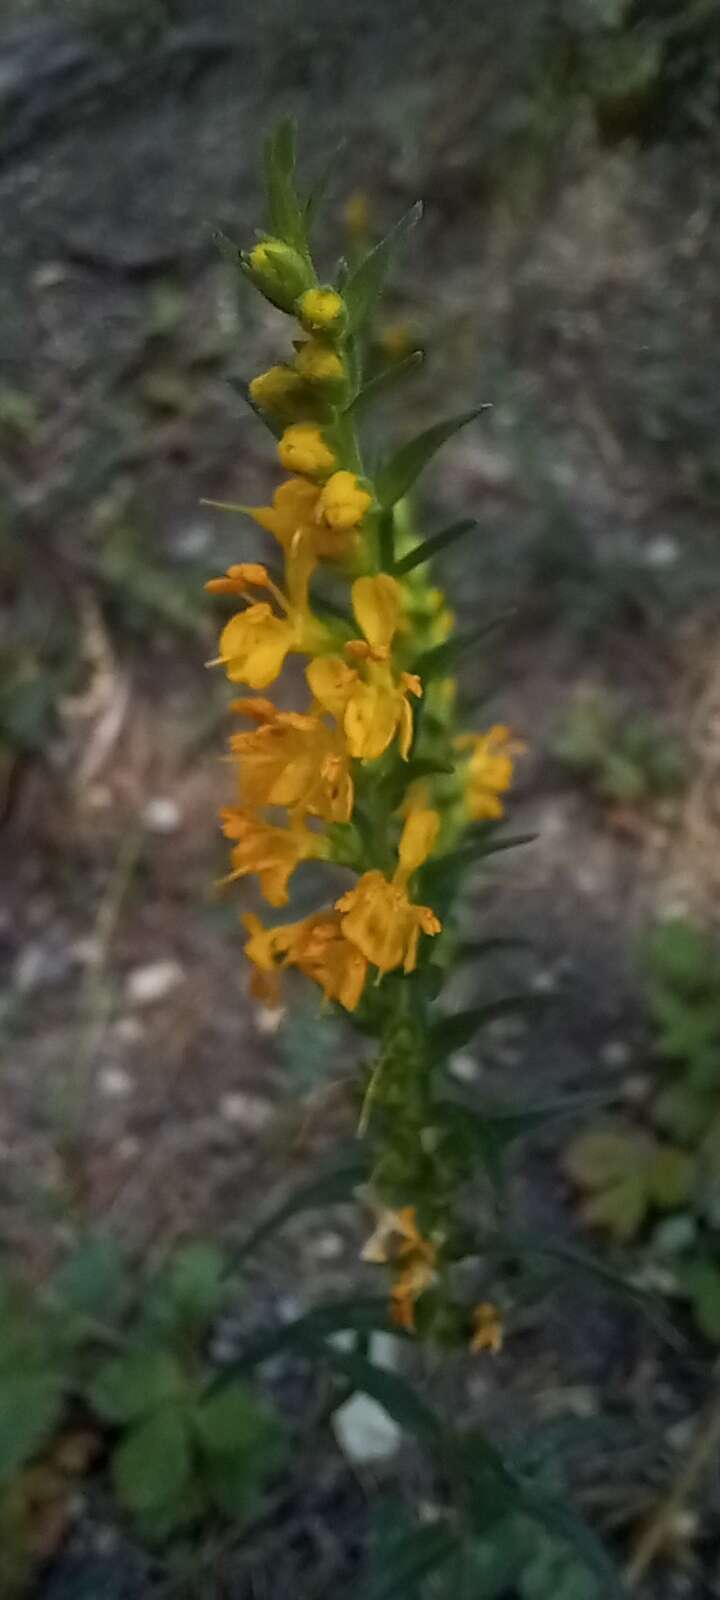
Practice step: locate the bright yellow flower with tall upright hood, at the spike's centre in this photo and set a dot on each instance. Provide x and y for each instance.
(372, 703)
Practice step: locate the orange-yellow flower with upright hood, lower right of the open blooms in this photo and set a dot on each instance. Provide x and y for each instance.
(378, 914)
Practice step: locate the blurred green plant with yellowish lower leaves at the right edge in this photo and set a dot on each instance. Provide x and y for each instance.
(630, 1174)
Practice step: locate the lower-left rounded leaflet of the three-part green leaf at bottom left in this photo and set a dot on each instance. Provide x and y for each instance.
(153, 1465)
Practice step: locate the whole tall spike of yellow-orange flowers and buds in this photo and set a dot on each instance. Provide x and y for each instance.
(369, 772)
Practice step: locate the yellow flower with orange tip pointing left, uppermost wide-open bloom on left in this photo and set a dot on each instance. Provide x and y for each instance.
(254, 644)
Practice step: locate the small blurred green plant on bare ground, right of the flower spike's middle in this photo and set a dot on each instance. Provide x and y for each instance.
(625, 761)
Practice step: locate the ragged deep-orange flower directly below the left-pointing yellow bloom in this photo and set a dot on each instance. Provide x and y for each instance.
(294, 761)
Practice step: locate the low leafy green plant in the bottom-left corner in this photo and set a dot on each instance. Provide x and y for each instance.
(185, 1444)
